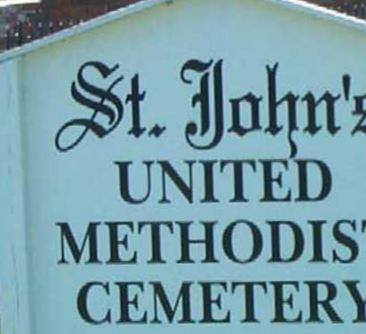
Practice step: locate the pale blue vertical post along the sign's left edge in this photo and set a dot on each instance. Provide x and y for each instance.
(13, 269)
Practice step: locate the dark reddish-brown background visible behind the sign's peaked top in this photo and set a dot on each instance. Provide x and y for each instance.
(23, 23)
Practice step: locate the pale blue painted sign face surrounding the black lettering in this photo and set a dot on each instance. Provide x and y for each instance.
(81, 185)
